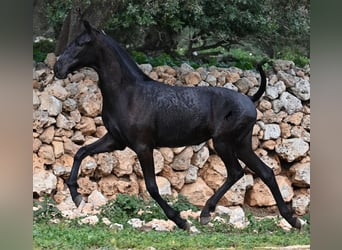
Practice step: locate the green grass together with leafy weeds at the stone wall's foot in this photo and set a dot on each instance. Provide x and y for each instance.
(69, 234)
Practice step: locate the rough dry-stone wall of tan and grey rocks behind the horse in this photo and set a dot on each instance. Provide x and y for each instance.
(67, 115)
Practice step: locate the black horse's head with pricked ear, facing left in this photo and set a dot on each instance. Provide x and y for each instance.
(78, 54)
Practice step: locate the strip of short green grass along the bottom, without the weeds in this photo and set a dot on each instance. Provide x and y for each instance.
(73, 236)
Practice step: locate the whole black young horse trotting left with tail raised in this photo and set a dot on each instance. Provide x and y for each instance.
(143, 114)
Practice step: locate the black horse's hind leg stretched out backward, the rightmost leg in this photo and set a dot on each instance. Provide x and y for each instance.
(246, 154)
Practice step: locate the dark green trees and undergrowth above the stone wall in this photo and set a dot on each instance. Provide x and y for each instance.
(201, 26)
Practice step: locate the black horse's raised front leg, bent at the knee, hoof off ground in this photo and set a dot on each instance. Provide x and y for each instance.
(104, 144)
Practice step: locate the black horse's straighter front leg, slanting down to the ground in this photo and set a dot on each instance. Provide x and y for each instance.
(145, 156)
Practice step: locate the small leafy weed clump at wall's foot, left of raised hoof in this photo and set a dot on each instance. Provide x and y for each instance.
(46, 210)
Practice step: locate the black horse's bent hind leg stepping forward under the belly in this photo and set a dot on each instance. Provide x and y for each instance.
(234, 173)
